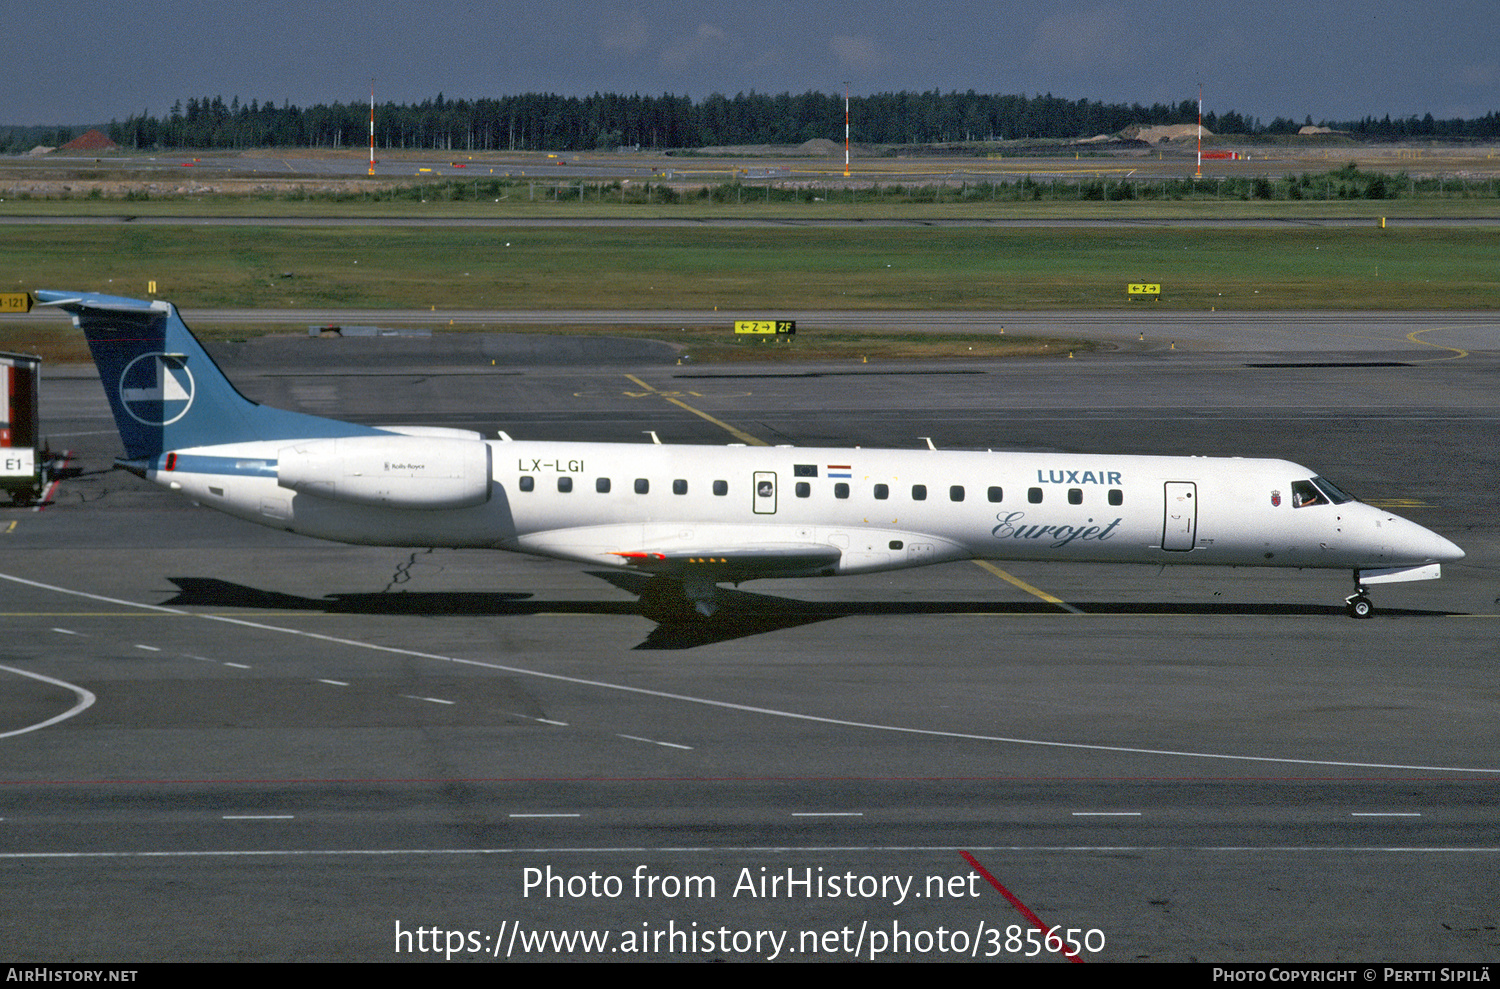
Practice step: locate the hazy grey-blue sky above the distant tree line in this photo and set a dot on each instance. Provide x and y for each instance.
(91, 61)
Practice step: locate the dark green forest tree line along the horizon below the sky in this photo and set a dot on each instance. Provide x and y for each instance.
(547, 122)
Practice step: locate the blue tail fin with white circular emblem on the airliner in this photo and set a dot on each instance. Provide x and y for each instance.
(164, 389)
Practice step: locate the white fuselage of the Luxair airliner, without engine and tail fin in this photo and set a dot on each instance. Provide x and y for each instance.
(604, 504)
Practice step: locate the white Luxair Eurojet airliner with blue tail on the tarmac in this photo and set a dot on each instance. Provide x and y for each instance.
(694, 517)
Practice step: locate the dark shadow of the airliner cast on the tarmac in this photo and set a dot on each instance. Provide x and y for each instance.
(742, 615)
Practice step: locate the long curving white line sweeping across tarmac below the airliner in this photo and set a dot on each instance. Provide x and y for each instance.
(751, 709)
